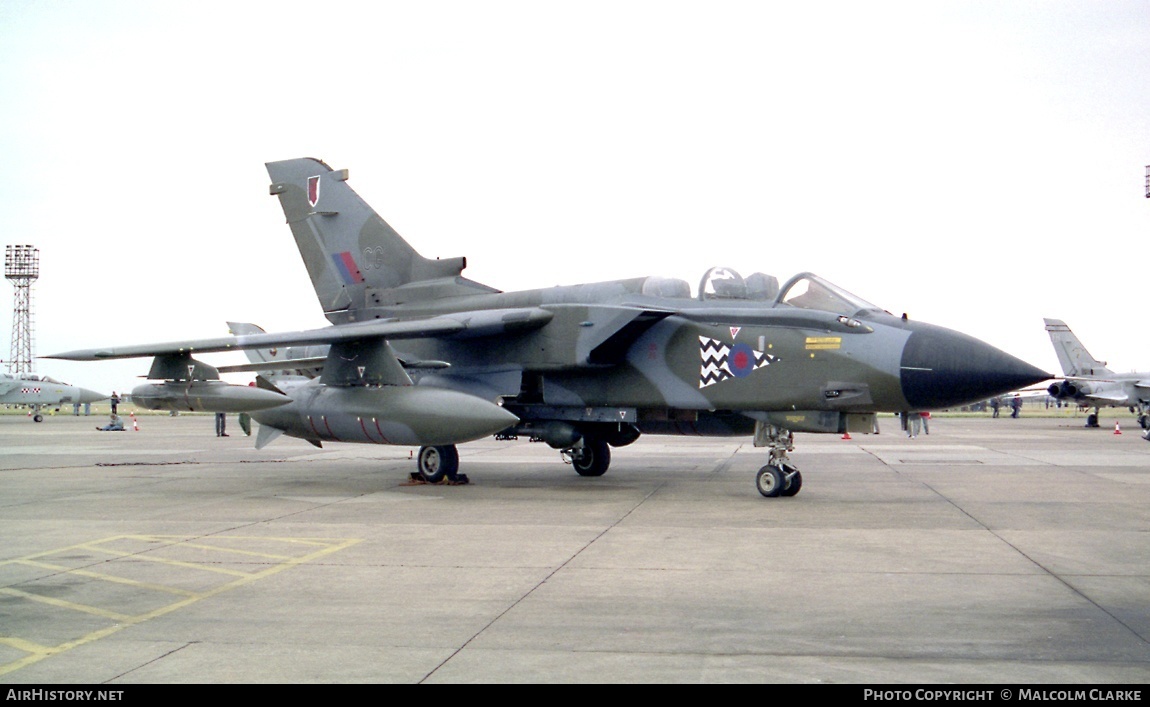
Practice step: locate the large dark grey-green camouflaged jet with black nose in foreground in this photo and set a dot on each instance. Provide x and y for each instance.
(417, 355)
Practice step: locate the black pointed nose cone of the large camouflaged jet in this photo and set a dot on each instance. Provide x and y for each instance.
(944, 368)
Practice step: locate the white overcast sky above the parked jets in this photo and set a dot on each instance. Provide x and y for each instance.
(977, 165)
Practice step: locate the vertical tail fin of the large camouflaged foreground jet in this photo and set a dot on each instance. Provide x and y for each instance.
(354, 258)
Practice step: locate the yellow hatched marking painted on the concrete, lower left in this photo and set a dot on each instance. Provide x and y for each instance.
(151, 550)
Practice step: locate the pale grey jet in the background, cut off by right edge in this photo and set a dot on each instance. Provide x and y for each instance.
(1090, 383)
